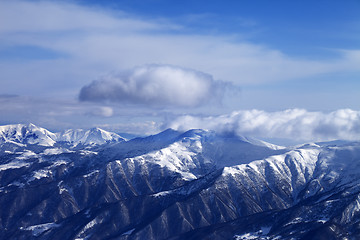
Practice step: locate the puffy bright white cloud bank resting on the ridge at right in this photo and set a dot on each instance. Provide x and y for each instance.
(296, 124)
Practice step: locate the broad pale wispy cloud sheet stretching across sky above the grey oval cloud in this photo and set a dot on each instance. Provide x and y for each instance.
(96, 41)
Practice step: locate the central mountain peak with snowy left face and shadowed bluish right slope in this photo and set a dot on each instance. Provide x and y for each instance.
(195, 152)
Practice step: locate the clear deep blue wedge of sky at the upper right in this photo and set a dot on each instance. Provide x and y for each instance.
(303, 28)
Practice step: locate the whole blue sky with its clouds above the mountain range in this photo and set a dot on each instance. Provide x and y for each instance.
(140, 66)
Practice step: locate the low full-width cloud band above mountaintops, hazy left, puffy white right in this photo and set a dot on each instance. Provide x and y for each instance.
(297, 125)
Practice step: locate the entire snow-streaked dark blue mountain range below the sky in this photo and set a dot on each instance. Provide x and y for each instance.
(196, 184)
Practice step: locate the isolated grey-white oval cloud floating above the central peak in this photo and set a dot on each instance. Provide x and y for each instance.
(157, 85)
